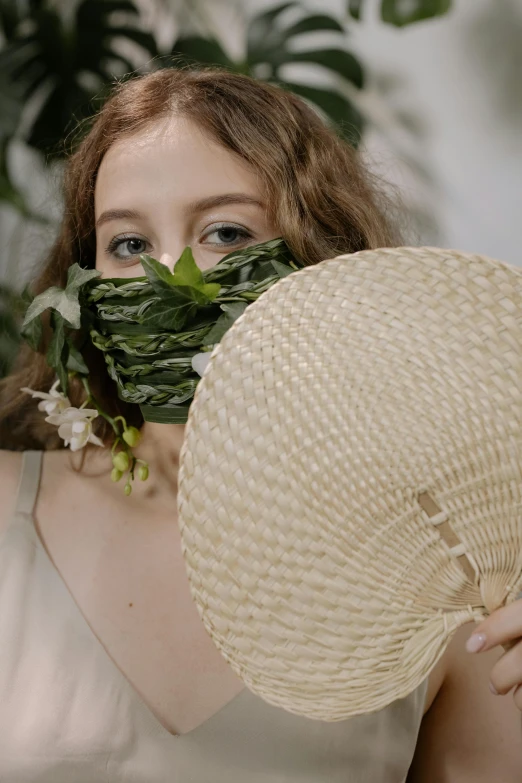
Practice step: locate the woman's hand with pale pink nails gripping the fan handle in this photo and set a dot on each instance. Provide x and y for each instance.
(503, 627)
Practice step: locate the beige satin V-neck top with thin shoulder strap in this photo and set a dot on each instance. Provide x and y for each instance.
(69, 715)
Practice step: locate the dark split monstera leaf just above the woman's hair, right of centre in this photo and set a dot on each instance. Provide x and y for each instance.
(273, 44)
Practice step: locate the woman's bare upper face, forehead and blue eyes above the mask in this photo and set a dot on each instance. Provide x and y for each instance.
(171, 186)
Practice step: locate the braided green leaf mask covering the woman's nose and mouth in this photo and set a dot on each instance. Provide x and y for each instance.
(151, 328)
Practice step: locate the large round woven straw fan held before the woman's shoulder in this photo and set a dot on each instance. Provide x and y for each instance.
(350, 489)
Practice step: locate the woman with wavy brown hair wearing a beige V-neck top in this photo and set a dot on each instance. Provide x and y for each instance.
(106, 670)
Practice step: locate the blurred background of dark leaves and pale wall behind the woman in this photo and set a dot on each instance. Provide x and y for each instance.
(430, 91)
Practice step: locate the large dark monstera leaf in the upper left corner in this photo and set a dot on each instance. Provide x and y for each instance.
(68, 58)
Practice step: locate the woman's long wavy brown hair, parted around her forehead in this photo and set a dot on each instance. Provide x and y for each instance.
(322, 199)
